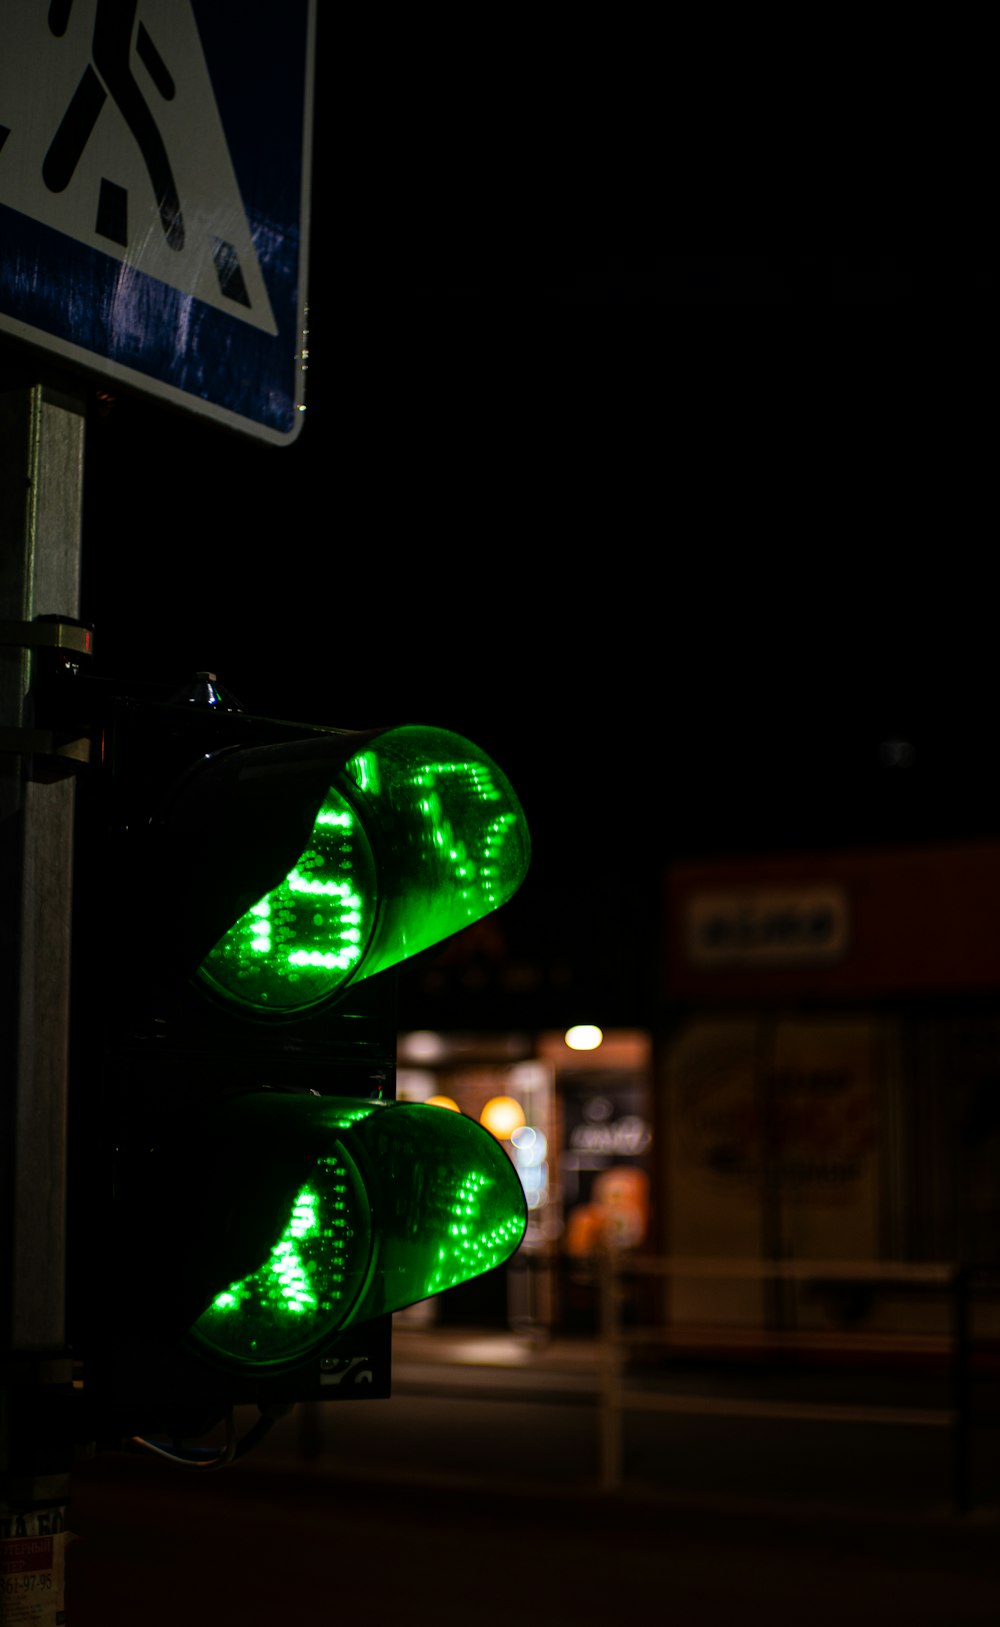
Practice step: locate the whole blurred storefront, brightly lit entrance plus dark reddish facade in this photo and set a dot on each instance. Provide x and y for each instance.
(819, 1081)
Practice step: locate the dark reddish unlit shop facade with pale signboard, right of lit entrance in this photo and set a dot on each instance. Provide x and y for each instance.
(830, 1073)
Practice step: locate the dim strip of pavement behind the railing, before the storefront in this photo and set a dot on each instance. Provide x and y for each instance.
(749, 1436)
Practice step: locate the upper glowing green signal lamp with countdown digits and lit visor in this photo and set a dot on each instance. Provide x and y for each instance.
(419, 837)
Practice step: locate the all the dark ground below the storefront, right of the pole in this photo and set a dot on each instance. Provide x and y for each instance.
(479, 1488)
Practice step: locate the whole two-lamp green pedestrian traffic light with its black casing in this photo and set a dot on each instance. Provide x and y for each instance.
(251, 1203)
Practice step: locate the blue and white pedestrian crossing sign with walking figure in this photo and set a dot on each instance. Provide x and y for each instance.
(154, 196)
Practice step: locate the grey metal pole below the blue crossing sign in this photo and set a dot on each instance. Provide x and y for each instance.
(41, 502)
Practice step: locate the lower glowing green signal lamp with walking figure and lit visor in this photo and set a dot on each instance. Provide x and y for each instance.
(401, 1203)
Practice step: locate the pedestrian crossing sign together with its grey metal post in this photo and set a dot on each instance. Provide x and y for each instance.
(155, 181)
